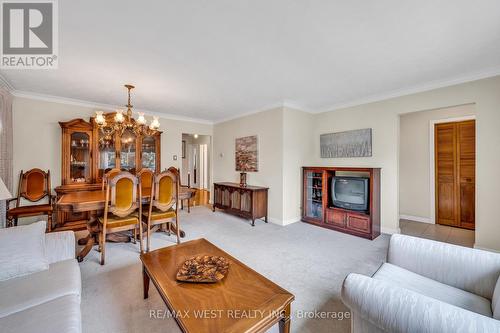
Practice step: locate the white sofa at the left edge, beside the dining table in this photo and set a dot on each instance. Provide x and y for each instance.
(47, 301)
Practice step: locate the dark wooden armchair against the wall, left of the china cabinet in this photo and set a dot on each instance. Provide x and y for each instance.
(34, 185)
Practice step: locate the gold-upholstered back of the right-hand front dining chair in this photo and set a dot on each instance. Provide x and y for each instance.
(166, 190)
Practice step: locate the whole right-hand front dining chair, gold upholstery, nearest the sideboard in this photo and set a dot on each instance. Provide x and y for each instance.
(164, 203)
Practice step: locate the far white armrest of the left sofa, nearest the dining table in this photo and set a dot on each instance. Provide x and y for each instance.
(60, 246)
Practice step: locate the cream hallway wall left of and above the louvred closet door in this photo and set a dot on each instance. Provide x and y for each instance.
(415, 156)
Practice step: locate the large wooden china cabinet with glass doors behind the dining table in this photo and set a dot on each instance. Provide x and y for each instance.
(86, 156)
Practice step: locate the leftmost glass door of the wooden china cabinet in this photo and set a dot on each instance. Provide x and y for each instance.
(80, 167)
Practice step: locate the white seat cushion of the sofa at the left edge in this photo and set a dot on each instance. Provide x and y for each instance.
(61, 279)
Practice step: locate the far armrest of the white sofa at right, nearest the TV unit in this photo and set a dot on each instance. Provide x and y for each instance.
(473, 270)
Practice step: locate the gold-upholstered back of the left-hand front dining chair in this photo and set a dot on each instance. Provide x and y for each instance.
(121, 194)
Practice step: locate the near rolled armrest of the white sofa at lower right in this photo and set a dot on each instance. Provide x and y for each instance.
(395, 309)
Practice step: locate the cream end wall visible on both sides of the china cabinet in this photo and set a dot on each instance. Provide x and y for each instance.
(37, 135)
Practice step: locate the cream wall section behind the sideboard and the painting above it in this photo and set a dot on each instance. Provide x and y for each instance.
(268, 126)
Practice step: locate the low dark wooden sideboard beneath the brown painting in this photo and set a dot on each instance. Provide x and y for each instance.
(248, 202)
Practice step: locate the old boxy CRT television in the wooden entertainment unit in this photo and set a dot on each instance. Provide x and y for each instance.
(350, 193)
